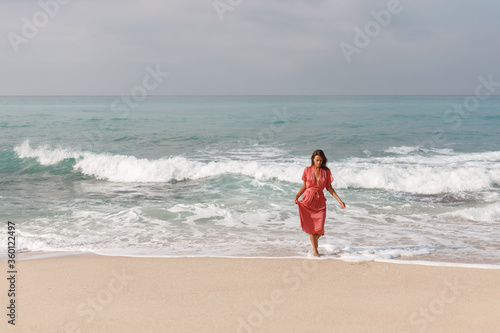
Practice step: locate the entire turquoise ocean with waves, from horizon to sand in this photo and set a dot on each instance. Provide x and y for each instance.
(179, 176)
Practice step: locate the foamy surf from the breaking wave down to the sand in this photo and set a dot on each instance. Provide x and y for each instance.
(403, 202)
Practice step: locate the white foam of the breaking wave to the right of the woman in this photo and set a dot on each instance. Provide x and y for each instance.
(422, 174)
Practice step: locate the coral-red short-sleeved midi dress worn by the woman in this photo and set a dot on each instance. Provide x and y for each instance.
(312, 207)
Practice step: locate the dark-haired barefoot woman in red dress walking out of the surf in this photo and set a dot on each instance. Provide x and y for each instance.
(312, 207)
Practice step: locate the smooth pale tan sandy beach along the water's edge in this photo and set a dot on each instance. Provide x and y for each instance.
(123, 294)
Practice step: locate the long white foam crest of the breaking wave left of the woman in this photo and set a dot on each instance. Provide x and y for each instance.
(124, 168)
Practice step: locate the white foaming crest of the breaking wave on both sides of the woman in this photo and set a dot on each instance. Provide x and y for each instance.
(407, 173)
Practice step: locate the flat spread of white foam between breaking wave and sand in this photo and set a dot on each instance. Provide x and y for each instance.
(209, 229)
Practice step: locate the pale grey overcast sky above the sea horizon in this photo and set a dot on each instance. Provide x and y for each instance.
(248, 46)
